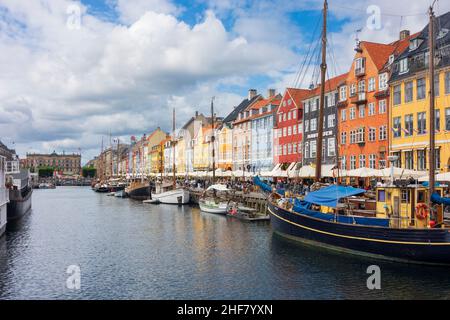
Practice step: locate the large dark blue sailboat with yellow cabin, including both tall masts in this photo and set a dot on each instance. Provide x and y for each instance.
(400, 228)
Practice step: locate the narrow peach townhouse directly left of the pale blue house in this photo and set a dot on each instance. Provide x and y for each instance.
(242, 134)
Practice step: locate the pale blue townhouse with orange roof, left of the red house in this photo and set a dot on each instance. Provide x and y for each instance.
(262, 119)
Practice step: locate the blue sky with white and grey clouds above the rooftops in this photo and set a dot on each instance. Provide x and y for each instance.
(74, 73)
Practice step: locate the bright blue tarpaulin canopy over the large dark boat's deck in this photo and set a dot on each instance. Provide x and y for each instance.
(330, 196)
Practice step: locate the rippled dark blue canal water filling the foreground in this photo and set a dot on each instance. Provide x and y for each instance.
(127, 250)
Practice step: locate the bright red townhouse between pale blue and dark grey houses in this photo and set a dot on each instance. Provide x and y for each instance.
(288, 132)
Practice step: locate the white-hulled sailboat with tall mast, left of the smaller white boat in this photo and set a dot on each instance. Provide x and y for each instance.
(170, 193)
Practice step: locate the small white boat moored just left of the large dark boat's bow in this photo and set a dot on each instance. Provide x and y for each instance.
(215, 199)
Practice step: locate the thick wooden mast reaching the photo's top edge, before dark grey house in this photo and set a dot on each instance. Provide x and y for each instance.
(323, 69)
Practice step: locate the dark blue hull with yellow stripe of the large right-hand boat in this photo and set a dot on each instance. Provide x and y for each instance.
(410, 245)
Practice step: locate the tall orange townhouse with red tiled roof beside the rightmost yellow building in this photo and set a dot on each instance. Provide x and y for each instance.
(364, 103)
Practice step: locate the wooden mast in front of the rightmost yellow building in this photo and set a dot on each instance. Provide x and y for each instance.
(432, 103)
